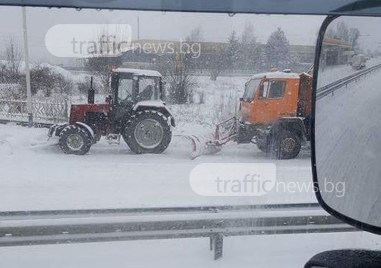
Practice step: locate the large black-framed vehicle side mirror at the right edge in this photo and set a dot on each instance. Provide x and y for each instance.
(346, 122)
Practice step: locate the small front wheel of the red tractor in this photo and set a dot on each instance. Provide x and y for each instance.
(75, 140)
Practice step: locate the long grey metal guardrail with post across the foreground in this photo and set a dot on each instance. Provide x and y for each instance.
(79, 226)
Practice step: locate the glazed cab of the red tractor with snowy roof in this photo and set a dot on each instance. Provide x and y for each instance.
(131, 86)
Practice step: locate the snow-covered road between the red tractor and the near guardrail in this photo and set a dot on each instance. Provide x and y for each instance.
(36, 175)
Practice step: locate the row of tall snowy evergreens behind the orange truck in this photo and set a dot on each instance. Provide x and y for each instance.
(243, 52)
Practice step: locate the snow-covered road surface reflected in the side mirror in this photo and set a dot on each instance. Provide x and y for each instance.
(348, 130)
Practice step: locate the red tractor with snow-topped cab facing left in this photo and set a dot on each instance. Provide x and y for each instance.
(135, 111)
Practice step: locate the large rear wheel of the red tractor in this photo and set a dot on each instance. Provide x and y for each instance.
(148, 132)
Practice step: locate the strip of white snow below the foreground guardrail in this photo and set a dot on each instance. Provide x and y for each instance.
(272, 251)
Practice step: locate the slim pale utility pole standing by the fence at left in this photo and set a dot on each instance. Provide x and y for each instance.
(27, 69)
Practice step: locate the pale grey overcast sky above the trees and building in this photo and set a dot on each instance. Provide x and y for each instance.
(154, 25)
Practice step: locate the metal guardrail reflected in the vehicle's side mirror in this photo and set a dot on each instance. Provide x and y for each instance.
(332, 87)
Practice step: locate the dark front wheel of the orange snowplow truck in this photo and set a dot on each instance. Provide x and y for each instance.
(285, 144)
